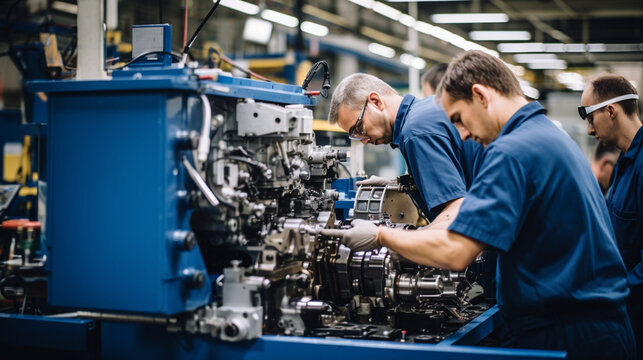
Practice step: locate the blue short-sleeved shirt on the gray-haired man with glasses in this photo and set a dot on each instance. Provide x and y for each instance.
(442, 165)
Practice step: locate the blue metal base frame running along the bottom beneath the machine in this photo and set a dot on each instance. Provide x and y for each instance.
(135, 341)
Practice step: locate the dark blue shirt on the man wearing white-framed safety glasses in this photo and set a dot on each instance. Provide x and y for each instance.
(625, 204)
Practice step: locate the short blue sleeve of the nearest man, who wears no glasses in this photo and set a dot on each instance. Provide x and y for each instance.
(496, 205)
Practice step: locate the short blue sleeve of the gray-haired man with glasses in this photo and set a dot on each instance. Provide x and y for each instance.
(435, 167)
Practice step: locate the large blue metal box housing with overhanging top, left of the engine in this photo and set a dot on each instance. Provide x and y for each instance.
(116, 190)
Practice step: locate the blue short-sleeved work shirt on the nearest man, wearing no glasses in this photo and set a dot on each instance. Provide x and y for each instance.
(535, 199)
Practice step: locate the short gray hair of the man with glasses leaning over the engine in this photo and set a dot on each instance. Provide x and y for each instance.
(353, 91)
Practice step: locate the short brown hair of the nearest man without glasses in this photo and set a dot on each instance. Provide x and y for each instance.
(477, 67)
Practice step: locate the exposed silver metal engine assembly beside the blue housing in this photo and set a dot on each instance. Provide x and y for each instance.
(272, 188)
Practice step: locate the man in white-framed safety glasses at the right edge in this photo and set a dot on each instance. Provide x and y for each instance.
(610, 106)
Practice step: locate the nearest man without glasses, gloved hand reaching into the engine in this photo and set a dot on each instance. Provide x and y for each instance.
(561, 282)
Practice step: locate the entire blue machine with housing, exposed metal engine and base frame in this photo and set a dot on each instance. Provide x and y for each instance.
(184, 210)
